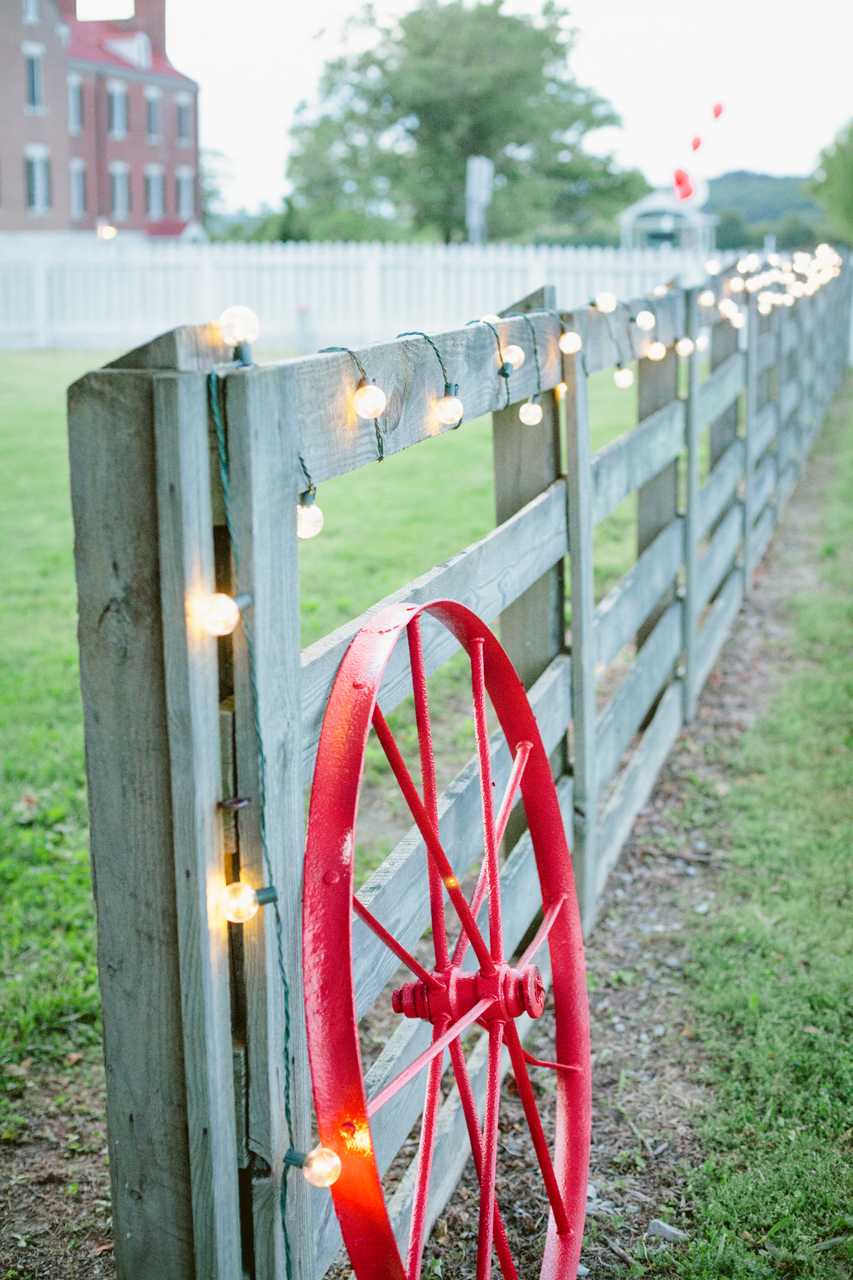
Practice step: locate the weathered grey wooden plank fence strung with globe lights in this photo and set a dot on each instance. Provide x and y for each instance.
(195, 1025)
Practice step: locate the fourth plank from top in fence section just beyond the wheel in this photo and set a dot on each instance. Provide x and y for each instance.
(627, 710)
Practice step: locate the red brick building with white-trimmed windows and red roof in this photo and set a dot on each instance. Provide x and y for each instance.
(95, 122)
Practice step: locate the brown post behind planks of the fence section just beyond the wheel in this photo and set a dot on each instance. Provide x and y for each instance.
(658, 500)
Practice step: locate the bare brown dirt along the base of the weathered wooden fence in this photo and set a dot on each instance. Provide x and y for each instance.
(54, 1180)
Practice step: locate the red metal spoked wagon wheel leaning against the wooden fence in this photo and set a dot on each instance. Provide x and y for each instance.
(494, 995)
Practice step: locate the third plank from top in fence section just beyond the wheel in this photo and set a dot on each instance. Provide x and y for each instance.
(633, 598)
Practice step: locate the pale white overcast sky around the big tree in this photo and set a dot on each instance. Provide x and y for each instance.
(781, 67)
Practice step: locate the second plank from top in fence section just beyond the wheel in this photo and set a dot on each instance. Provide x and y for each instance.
(631, 461)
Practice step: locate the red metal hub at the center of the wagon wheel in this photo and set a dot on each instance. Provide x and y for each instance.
(512, 991)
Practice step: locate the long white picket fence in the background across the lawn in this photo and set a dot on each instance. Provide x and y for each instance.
(69, 290)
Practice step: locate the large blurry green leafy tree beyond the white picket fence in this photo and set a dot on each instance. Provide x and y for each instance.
(385, 153)
